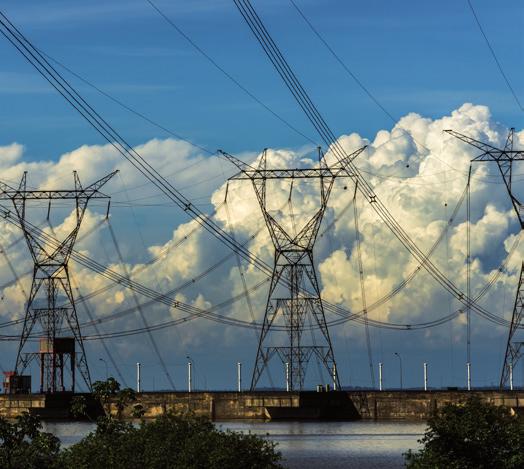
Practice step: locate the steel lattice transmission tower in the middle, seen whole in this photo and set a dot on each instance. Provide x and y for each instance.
(294, 292)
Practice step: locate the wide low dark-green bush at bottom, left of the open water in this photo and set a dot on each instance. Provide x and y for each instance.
(169, 442)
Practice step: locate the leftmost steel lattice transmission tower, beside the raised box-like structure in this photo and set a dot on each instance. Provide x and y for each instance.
(51, 304)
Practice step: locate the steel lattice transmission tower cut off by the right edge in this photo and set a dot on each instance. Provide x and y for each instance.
(504, 159)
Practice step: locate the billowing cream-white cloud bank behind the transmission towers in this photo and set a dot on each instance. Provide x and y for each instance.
(417, 170)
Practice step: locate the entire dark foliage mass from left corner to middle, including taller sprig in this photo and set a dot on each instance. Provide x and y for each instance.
(167, 442)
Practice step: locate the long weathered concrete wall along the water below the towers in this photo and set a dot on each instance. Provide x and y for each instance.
(272, 405)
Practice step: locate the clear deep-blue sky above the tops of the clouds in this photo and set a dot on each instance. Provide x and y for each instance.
(426, 57)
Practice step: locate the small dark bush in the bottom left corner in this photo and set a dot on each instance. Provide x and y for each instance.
(24, 446)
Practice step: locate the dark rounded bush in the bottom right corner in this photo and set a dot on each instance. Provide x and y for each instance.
(474, 435)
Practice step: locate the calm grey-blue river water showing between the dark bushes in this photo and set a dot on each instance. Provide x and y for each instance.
(304, 445)
